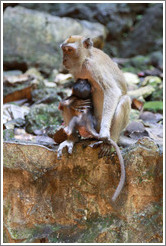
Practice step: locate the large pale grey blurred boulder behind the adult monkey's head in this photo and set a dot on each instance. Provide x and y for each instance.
(33, 37)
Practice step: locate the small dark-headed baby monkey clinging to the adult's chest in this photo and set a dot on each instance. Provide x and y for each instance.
(78, 111)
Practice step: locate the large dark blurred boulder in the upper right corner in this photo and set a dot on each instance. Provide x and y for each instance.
(147, 35)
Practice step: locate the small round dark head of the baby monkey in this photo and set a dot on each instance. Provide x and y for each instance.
(82, 89)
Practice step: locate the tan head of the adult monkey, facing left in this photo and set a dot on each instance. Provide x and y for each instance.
(75, 50)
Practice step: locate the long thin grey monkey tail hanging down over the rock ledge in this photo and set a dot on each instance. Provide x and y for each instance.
(122, 166)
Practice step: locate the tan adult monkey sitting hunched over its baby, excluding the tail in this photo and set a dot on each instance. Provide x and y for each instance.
(111, 103)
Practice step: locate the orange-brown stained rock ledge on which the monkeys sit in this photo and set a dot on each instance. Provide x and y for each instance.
(68, 200)
